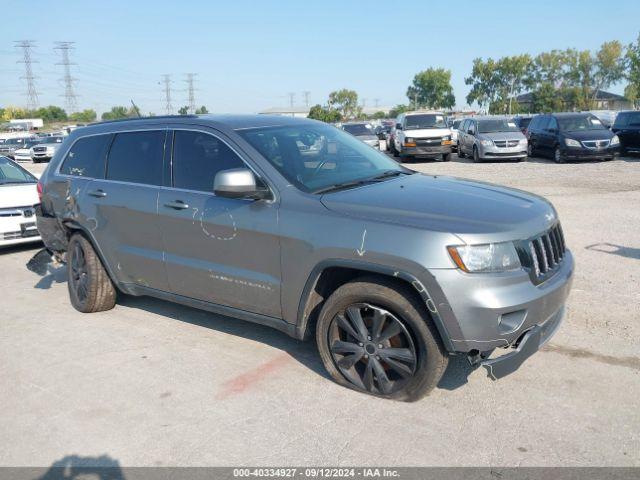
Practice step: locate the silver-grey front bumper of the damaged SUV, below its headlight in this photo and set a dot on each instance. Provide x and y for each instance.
(494, 310)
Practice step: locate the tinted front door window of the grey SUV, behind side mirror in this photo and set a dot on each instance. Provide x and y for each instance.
(197, 157)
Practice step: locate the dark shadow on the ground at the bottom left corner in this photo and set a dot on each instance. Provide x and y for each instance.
(76, 467)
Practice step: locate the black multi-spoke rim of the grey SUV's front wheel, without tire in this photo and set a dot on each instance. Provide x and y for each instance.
(372, 348)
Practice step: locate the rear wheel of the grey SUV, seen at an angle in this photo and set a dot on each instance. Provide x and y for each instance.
(90, 288)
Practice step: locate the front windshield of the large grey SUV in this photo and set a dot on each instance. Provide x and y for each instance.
(336, 157)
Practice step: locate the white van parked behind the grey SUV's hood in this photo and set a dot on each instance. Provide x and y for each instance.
(422, 134)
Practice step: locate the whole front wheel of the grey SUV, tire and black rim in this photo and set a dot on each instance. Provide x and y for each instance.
(423, 359)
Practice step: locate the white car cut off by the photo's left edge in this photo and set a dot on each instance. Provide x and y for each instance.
(18, 199)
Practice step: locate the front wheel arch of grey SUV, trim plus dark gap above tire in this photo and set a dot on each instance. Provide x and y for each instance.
(329, 275)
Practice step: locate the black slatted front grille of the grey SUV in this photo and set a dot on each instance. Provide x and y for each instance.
(546, 253)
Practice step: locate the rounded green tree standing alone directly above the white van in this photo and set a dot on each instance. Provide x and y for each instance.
(432, 88)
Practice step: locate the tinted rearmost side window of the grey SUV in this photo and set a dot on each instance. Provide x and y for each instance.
(87, 157)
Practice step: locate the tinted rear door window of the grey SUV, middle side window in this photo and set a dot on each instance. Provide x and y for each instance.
(137, 157)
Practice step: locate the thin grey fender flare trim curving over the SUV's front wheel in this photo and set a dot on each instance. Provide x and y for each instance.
(430, 303)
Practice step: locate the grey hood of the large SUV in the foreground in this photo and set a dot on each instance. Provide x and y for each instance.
(474, 211)
